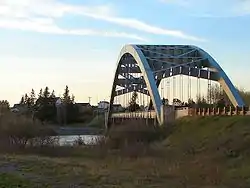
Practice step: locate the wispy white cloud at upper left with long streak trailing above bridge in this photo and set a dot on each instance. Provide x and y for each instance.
(40, 16)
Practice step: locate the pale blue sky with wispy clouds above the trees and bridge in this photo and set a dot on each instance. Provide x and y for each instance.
(56, 43)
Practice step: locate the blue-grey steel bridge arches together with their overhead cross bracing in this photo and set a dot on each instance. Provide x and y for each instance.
(156, 62)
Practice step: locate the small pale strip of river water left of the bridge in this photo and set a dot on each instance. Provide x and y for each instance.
(70, 139)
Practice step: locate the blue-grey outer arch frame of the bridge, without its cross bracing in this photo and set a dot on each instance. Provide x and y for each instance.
(148, 75)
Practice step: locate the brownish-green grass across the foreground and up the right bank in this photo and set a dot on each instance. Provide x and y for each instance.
(203, 152)
